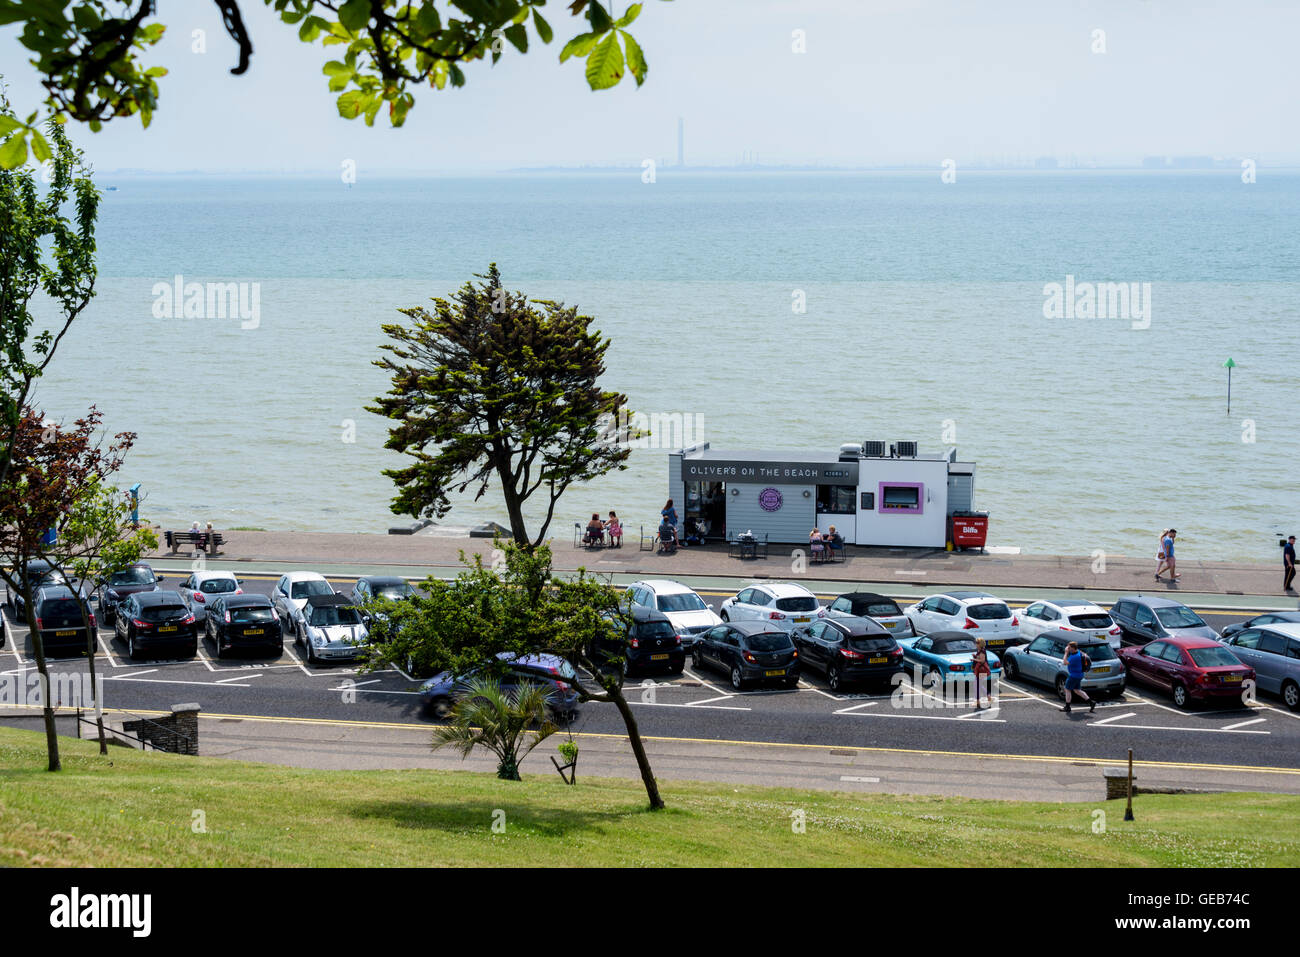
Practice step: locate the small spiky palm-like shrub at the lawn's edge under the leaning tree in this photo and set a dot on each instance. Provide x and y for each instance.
(508, 724)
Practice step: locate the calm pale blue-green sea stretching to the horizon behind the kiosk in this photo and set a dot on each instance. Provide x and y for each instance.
(925, 313)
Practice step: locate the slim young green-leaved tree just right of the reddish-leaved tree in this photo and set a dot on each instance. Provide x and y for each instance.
(96, 540)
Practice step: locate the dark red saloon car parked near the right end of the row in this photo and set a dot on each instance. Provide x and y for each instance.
(1189, 669)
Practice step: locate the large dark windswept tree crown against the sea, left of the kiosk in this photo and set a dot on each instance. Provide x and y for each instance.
(493, 386)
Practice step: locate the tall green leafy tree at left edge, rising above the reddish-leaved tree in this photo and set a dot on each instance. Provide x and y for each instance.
(42, 250)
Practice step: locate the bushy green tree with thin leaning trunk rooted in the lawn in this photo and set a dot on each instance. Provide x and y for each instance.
(515, 608)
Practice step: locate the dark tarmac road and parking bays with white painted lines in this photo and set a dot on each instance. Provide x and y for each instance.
(701, 705)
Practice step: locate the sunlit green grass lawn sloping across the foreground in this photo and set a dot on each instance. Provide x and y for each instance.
(135, 809)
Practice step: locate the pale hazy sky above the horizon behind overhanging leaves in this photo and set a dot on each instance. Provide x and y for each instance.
(881, 84)
